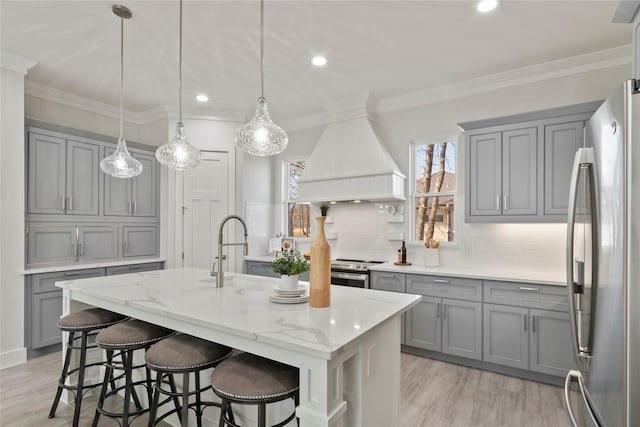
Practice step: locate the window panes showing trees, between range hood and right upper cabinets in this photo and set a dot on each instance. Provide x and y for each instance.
(434, 190)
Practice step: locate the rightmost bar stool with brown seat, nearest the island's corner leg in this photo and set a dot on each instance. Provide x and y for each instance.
(247, 379)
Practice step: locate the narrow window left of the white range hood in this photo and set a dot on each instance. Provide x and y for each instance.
(298, 216)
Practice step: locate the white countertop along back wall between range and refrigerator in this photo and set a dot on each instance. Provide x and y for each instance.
(475, 272)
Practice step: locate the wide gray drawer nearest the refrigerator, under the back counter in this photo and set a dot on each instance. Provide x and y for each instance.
(526, 295)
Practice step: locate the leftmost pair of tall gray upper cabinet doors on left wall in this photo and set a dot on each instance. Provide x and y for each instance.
(62, 176)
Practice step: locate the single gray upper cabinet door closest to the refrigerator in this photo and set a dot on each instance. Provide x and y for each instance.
(561, 141)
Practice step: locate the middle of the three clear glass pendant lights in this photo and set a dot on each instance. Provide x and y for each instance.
(178, 153)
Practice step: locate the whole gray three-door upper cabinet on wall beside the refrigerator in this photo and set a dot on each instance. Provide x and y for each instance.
(519, 167)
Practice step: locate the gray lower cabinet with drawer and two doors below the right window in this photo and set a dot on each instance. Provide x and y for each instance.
(449, 317)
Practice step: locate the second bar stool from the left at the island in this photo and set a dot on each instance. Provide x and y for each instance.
(127, 337)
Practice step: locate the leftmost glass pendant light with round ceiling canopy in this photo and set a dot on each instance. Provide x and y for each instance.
(120, 164)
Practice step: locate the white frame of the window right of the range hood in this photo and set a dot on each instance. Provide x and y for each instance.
(415, 195)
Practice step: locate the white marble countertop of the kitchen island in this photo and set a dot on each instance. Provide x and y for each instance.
(242, 307)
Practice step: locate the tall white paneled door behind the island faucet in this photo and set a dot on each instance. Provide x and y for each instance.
(206, 203)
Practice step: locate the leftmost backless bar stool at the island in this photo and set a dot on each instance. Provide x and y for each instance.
(87, 323)
